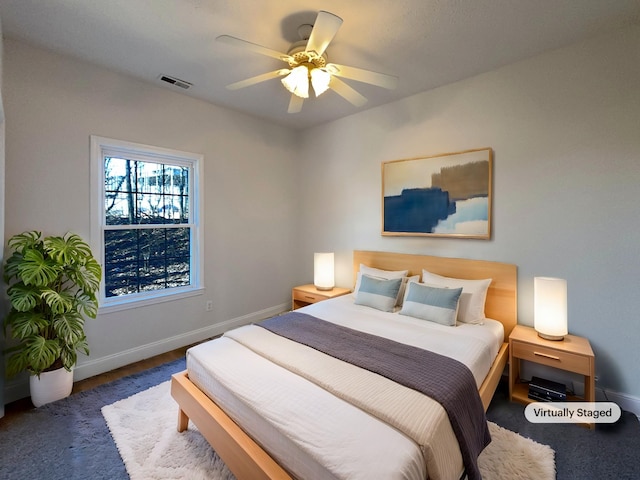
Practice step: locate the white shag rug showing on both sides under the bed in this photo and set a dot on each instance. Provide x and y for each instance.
(144, 429)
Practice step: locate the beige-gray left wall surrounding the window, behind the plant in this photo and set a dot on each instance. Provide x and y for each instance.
(53, 104)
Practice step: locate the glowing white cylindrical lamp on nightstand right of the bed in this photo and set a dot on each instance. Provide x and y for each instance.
(550, 307)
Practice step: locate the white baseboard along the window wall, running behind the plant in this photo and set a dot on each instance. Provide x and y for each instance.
(19, 387)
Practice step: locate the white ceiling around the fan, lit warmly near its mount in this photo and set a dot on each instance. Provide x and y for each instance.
(426, 43)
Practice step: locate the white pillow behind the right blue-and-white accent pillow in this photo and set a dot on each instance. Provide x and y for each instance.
(474, 294)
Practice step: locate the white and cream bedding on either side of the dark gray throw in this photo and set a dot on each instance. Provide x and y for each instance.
(316, 434)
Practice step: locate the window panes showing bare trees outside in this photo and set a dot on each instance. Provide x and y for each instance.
(147, 231)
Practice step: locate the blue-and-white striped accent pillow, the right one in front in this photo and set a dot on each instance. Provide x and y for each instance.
(439, 305)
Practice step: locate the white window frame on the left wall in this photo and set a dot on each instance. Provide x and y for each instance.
(101, 147)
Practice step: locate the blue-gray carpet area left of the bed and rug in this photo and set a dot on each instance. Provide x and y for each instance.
(69, 439)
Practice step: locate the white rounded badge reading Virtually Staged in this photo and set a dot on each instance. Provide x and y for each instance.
(572, 412)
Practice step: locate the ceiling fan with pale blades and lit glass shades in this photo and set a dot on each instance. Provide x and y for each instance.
(307, 61)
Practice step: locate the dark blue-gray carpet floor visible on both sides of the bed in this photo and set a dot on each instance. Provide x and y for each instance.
(69, 439)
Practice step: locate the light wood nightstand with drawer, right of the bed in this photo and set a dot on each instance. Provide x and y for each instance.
(573, 354)
